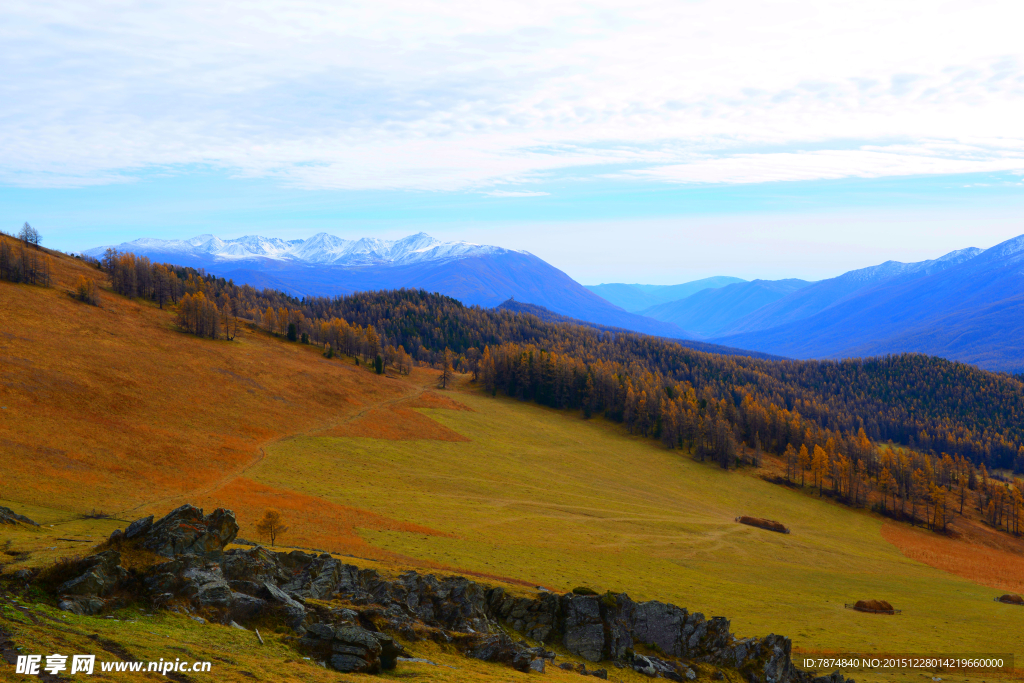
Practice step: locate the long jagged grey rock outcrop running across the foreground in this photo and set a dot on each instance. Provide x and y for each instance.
(305, 591)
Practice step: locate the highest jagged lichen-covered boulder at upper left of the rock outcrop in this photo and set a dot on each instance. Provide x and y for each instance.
(187, 531)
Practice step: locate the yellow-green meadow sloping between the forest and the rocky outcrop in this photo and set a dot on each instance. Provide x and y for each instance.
(550, 498)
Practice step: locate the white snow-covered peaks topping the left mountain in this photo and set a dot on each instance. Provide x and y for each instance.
(321, 249)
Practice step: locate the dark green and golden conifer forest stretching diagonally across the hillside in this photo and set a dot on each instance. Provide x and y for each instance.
(911, 435)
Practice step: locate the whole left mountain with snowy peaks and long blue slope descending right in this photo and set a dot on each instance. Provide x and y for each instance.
(327, 266)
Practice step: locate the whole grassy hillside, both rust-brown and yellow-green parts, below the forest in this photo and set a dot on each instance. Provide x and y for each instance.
(112, 409)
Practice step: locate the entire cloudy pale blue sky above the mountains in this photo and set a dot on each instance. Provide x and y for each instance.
(622, 142)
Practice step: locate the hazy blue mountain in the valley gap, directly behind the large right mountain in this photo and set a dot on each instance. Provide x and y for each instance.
(710, 312)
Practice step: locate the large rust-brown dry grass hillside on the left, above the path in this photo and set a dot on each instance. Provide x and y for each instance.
(111, 408)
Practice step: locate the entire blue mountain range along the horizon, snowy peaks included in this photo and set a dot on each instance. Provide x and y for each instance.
(967, 306)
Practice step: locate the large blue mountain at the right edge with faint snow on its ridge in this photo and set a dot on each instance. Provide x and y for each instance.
(969, 307)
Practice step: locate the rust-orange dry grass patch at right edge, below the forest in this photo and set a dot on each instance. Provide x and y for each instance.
(996, 568)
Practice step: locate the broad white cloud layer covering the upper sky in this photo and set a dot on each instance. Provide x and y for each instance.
(459, 96)
